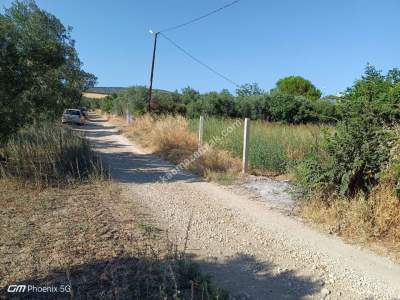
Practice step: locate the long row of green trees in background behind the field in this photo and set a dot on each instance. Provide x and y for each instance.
(281, 104)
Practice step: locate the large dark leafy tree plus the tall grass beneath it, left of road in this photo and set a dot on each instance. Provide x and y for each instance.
(40, 76)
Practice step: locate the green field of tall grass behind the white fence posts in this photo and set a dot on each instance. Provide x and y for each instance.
(273, 147)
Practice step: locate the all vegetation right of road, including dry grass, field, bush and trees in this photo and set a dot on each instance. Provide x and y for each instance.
(340, 151)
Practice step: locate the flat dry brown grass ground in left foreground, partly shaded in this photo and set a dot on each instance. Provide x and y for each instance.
(83, 237)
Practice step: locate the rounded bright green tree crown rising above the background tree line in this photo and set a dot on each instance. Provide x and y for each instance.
(297, 86)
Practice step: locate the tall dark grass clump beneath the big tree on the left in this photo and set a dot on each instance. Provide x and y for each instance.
(49, 154)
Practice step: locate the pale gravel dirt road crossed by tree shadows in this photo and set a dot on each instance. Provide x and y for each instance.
(249, 248)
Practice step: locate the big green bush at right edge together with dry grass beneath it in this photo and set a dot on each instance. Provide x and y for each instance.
(353, 183)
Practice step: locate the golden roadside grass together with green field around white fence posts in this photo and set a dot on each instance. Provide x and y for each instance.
(274, 148)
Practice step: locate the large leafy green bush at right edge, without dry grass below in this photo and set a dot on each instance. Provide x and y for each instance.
(354, 157)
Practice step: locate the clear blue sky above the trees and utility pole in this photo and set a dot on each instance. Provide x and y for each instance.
(328, 42)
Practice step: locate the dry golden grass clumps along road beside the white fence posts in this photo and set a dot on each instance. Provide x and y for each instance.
(171, 138)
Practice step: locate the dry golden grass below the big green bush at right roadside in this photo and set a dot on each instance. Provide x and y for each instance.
(373, 220)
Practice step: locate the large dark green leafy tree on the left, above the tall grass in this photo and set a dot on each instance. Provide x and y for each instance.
(40, 70)
